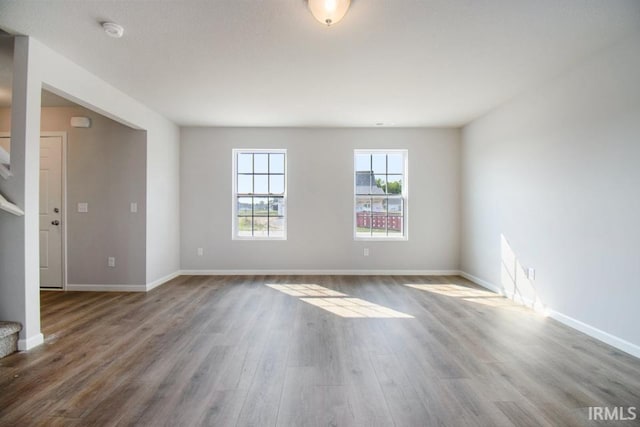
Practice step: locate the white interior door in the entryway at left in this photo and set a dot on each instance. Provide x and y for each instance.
(51, 212)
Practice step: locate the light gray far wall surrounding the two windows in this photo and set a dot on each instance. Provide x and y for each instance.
(320, 200)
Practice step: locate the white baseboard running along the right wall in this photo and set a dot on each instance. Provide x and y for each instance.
(612, 340)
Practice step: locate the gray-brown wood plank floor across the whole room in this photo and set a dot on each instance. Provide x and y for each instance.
(348, 351)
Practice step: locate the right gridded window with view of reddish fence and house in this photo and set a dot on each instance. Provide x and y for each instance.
(380, 189)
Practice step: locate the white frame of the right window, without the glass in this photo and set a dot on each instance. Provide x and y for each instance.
(405, 196)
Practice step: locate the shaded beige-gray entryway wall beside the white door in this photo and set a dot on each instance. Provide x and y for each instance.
(106, 167)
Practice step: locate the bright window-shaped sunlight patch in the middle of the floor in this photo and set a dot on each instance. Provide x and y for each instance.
(339, 303)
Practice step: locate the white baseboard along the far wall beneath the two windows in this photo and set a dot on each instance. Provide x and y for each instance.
(320, 272)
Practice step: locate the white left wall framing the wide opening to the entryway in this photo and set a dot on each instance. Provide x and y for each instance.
(36, 67)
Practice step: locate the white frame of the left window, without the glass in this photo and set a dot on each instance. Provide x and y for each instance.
(235, 194)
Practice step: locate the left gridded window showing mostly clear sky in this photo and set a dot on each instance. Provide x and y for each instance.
(259, 194)
